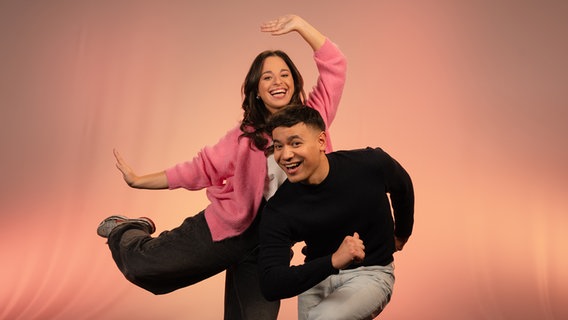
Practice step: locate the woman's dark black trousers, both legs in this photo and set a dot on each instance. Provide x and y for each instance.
(186, 255)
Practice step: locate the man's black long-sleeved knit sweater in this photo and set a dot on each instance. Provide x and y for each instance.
(354, 197)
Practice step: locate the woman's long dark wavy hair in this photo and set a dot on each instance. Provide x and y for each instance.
(256, 114)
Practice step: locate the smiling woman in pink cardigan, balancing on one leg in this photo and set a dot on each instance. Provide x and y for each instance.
(238, 177)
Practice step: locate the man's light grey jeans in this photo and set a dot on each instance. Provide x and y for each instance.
(360, 293)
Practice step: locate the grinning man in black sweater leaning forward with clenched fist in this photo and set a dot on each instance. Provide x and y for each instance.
(338, 203)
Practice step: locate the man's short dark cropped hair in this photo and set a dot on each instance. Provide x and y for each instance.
(293, 114)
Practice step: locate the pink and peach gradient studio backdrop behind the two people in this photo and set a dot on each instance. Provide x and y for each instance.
(470, 96)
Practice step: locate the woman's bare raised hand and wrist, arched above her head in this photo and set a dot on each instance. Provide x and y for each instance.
(291, 22)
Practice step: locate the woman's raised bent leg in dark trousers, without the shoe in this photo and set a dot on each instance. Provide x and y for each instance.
(174, 259)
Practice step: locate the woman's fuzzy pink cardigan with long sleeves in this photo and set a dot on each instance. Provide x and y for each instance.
(234, 174)
